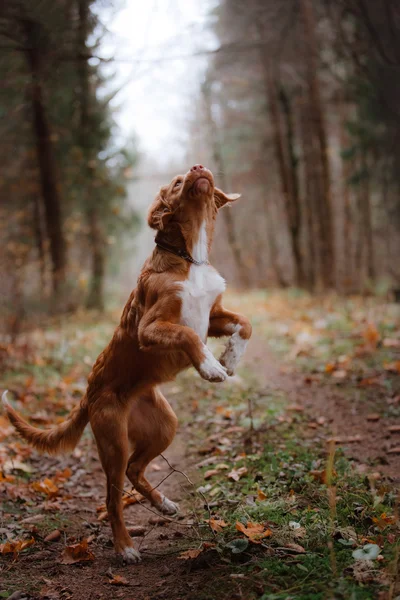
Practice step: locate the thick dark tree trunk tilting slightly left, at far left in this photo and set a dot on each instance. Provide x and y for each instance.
(45, 156)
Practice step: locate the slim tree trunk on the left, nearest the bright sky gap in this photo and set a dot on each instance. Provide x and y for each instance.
(97, 243)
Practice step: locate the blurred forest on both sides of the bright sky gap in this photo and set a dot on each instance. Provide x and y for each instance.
(298, 109)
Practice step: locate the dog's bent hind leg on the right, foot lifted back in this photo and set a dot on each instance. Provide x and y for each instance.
(151, 427)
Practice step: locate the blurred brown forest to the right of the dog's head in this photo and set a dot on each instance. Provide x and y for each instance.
(300, 111)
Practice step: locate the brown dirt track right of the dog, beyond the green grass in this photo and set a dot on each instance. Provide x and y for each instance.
(346, 415)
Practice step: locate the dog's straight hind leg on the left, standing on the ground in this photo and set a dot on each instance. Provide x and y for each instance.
(110, 432)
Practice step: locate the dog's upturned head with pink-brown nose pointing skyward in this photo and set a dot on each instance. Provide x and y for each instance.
(187, 202)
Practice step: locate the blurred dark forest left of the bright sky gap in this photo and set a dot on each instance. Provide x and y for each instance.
(63, 178)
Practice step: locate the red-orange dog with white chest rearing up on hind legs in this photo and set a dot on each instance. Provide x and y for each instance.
(163, 330)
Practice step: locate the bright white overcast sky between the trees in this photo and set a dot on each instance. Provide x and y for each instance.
(157, 92)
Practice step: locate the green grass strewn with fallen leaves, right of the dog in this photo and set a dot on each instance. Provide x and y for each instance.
(279, 461)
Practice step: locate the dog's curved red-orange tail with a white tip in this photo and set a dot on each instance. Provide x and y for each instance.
(59, 439)
